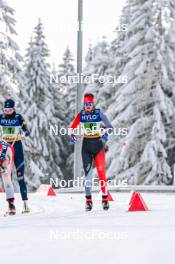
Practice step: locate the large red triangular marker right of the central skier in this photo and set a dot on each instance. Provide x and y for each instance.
(137, 203)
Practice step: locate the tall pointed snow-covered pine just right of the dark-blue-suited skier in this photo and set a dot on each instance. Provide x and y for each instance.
(40, 113)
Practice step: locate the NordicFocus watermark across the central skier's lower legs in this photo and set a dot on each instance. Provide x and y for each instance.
(83, 182)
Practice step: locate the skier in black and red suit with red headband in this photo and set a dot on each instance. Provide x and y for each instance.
(92, 120)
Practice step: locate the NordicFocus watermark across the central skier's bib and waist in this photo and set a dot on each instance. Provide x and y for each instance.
(80, 131)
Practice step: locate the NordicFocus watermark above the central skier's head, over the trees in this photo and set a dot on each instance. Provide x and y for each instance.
(85, 79)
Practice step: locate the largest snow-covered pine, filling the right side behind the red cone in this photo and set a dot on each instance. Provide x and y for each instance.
(145, 104)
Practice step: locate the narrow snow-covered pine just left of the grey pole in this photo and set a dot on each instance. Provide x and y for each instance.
(67, 93)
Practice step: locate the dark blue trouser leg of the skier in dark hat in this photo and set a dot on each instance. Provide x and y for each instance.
(19, 164)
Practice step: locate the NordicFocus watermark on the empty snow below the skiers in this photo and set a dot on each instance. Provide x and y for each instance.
(78, 234)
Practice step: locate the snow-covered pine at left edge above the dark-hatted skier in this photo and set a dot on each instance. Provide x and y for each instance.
(10, 71)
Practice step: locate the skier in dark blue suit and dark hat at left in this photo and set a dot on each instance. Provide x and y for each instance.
(11, 126)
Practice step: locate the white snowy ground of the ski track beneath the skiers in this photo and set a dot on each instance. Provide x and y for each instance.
(59, 231)
